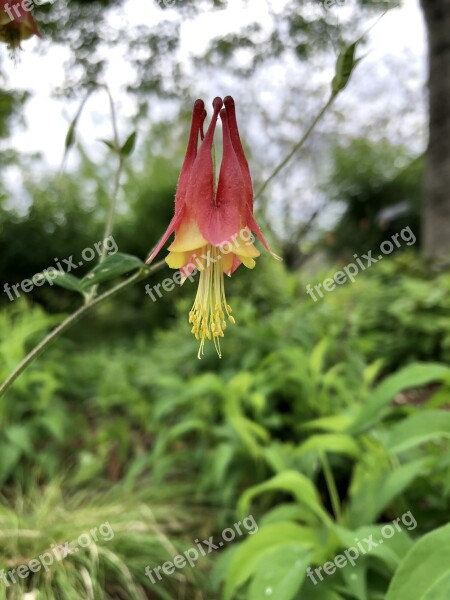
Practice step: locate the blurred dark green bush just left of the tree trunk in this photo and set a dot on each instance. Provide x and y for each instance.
(379, 187)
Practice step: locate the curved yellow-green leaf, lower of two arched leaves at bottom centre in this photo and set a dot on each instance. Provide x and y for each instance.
(246, 560)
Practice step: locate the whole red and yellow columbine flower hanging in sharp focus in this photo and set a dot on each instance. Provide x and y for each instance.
(213, 225)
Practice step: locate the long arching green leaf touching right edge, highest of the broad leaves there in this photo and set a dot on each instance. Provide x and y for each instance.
(414, 375)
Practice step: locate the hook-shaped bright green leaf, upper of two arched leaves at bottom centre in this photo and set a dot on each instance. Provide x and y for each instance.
(292, 482)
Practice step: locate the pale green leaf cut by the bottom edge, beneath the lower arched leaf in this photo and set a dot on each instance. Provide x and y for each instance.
(280, 573)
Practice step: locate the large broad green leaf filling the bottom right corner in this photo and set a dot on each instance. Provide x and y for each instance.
(424, 573)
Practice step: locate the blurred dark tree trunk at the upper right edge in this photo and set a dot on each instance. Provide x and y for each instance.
(436, 212)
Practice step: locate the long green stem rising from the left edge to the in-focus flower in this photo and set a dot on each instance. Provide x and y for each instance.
(72, 319)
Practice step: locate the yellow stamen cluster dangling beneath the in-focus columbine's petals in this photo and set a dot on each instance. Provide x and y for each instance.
(210, 310)
